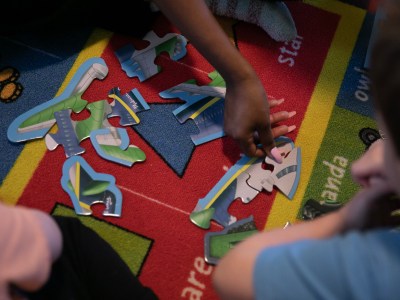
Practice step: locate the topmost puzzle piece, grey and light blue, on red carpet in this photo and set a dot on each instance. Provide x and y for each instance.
(140, 63)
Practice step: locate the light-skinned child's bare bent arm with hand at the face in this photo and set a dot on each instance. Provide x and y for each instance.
(233, 277)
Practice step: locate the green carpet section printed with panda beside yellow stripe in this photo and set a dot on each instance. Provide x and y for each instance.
(331, 176)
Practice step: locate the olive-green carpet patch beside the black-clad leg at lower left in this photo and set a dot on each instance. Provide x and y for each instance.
(132, 248)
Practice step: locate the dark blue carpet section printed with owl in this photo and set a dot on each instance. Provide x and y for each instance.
(355, 92)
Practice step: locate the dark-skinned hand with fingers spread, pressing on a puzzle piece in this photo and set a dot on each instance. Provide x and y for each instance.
(247, 118)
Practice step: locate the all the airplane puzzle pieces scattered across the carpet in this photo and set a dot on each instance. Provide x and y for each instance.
(203, 104)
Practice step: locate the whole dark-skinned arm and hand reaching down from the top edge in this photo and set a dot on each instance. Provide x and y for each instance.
(246, 104)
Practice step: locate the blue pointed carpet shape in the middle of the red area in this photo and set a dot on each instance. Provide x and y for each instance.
(160, 128)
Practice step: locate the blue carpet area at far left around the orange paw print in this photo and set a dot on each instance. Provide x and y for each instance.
(43, 65)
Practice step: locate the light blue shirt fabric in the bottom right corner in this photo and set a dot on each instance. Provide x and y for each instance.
(357, 265)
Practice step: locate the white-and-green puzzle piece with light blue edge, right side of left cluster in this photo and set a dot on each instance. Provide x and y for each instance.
(113, 144)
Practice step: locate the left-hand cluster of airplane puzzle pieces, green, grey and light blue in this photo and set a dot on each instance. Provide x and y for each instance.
(84, 186)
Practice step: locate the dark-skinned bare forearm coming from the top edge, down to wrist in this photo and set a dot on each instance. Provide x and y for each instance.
(196, 22)
